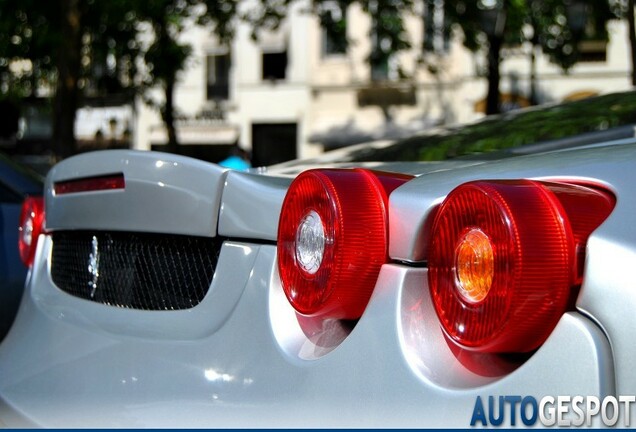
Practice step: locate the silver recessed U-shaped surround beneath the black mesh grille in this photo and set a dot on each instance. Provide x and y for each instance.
(186, 324)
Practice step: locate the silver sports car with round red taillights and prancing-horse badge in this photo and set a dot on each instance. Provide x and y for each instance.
(169, 292)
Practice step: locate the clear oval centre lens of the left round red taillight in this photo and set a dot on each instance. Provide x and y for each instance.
(310, 242)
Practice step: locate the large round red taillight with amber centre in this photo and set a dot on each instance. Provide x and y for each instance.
(504, 256)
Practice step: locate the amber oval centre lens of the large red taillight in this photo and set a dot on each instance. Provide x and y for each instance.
(474, 265)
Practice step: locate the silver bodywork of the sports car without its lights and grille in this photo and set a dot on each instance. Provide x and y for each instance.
(241, 359)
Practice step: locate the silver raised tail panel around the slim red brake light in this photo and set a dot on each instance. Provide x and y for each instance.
(164, 193)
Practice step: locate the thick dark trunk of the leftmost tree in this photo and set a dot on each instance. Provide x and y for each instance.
(68, 71)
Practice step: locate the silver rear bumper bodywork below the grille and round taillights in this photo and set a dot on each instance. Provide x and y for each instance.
(254, 371)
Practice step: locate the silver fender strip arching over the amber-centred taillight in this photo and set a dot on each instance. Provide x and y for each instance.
(411, 204)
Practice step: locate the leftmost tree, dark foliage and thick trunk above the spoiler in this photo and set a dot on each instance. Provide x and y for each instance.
(71, 48)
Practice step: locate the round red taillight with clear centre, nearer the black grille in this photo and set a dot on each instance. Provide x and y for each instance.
(332, 239)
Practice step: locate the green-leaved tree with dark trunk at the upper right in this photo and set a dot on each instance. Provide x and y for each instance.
(557, 26)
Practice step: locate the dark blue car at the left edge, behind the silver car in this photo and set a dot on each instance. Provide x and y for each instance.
(17, 183)
